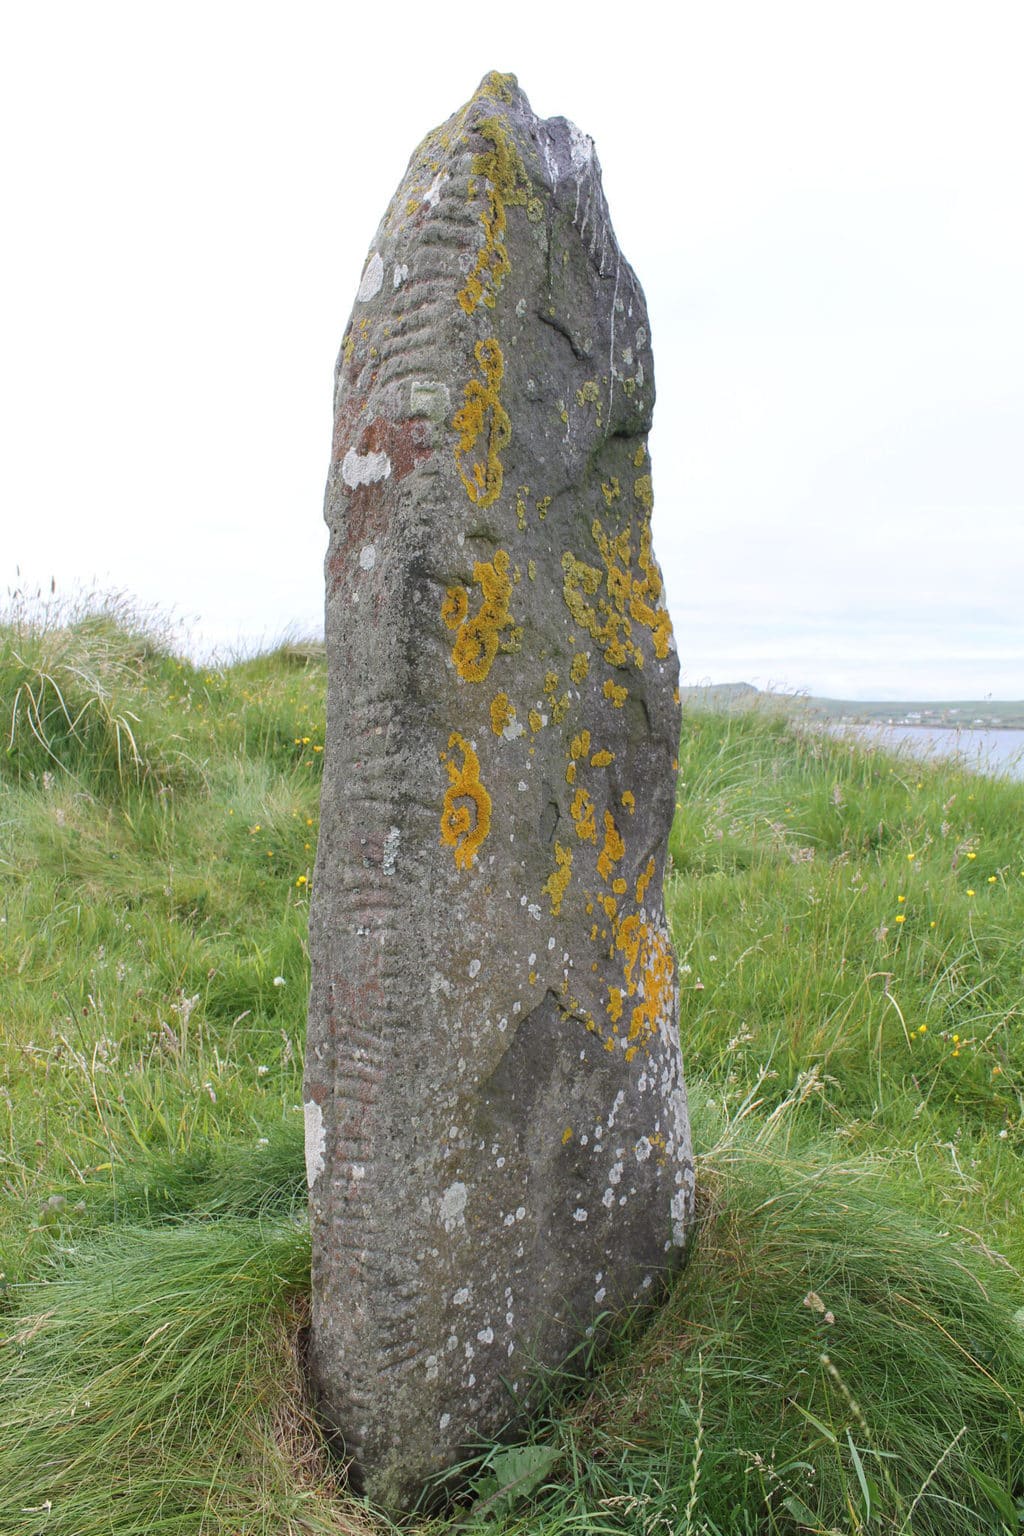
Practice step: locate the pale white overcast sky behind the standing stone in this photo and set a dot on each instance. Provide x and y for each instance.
(822, 202)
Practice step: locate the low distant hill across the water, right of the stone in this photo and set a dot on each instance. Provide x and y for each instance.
(940, 715)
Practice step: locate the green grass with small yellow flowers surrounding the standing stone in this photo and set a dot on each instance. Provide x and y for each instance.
(845, 1351)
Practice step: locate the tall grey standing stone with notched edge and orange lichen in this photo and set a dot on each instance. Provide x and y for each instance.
(497, 1125)
